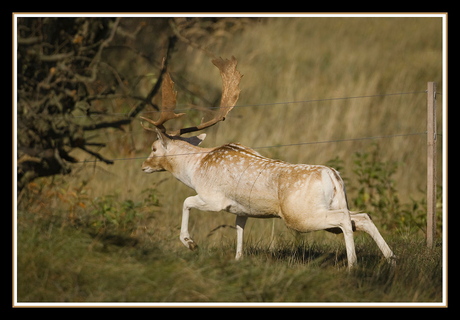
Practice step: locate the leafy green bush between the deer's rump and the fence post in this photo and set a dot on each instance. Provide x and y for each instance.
(372, 189)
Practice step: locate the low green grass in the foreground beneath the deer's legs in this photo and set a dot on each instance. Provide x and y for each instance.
(62, 259)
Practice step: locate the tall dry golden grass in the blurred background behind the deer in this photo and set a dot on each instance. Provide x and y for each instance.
(299, 59)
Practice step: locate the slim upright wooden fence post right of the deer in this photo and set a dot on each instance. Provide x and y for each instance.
(431, 164)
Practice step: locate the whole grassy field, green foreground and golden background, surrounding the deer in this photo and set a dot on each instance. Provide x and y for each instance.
(111, 233)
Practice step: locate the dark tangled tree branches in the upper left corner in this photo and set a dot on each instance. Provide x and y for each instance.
(61, 68)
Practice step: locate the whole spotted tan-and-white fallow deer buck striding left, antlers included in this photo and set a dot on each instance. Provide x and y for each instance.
(239, 180)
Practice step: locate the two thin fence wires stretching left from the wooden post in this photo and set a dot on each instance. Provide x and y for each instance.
(278, 145)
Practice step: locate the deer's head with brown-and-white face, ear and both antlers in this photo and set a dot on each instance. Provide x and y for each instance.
(171, 142)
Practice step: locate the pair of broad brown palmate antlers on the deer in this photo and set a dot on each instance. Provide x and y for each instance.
(231, 78)
